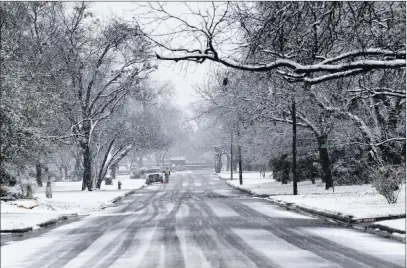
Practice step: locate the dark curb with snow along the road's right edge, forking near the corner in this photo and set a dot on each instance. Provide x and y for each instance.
(347, 220)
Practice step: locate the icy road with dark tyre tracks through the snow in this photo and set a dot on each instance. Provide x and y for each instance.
(198, 221)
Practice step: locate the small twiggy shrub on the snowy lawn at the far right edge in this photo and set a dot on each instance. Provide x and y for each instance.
(388, 181)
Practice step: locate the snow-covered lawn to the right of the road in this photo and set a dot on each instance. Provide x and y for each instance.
(359, 201)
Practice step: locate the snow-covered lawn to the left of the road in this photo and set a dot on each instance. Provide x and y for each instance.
(67, 198)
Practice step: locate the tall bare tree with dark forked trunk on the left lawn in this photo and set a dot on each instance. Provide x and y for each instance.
(102, 65)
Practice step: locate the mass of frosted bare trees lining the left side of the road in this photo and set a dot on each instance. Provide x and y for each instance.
(76, 93)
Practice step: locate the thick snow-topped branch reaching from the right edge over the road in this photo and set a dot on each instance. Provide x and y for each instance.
(321, 72)
